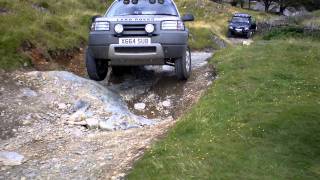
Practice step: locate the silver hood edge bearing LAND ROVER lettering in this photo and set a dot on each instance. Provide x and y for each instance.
(142, 18)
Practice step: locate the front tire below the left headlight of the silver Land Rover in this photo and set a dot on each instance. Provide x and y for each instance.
(97, 68)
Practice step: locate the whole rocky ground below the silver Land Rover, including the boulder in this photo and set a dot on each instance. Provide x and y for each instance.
(57, 125)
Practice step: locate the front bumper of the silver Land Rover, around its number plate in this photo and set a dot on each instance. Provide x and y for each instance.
(164, 46)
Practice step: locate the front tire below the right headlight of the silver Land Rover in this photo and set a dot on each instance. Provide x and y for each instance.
(183, 66)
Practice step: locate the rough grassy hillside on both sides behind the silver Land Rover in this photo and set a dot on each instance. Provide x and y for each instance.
(48, 30)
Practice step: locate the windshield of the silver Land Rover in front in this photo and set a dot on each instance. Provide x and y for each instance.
(144, 7)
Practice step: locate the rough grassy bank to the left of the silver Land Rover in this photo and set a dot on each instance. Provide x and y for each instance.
(45, 24)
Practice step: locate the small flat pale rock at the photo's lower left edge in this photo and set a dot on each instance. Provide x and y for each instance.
(11, 158)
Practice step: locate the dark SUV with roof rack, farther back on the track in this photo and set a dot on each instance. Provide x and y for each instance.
(242, 25)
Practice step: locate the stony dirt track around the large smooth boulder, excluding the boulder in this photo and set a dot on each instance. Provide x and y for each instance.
(35, 127)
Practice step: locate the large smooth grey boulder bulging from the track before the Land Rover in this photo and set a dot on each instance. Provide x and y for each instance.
(92, 104)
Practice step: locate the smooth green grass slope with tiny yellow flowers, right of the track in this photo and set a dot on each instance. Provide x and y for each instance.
(260, 119)
